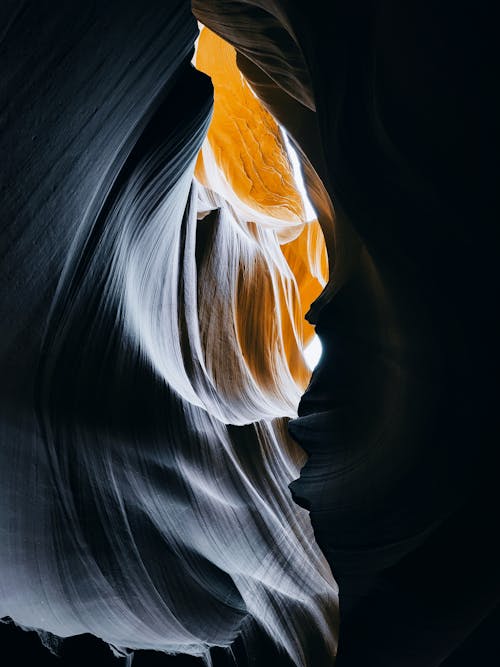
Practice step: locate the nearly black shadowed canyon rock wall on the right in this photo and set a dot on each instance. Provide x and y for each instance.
(395, 109)
